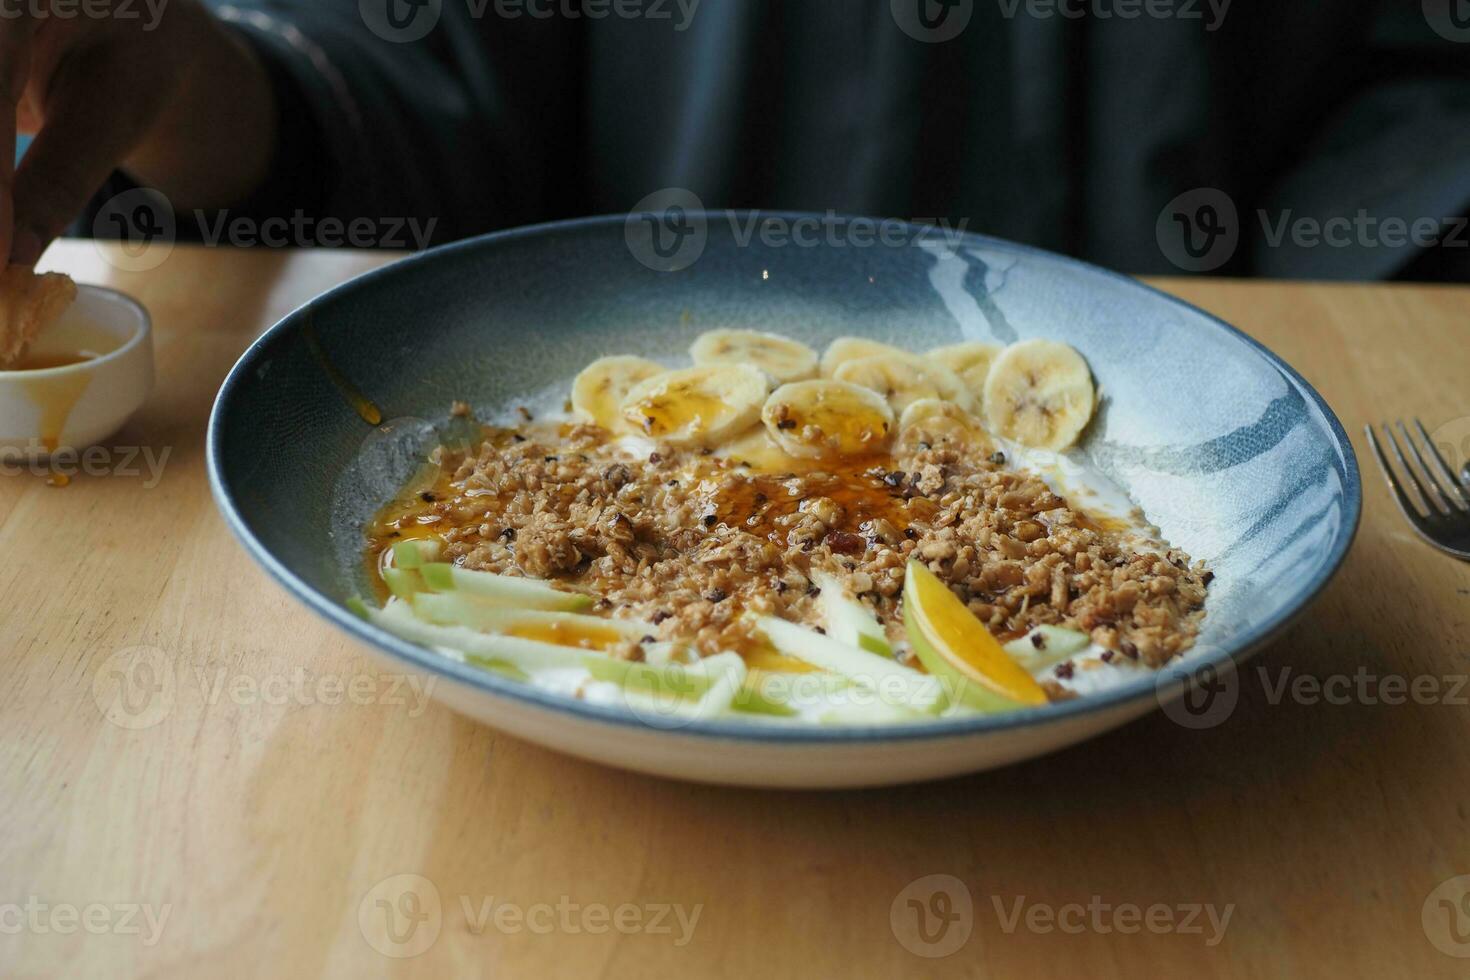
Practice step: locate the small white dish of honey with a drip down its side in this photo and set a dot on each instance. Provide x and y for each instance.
(79, 405)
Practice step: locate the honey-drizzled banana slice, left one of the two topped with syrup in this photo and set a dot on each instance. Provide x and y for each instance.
(698, 406)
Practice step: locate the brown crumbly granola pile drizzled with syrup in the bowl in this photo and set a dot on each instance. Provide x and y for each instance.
(690, 540)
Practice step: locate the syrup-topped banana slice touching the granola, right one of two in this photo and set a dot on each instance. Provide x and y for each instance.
(828, 418)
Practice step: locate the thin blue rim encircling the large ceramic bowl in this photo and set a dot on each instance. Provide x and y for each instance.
(1233, 652)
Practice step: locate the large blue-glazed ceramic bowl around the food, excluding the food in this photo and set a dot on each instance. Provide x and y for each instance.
(1224, 446)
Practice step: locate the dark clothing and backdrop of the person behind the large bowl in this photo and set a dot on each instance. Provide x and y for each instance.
(1297, 140)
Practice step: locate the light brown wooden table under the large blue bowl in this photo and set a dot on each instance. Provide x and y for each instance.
(262, 809)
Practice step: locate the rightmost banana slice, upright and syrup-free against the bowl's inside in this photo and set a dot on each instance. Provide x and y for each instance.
(1040, 394)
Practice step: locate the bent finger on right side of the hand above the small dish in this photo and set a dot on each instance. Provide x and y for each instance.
(85, 137)
